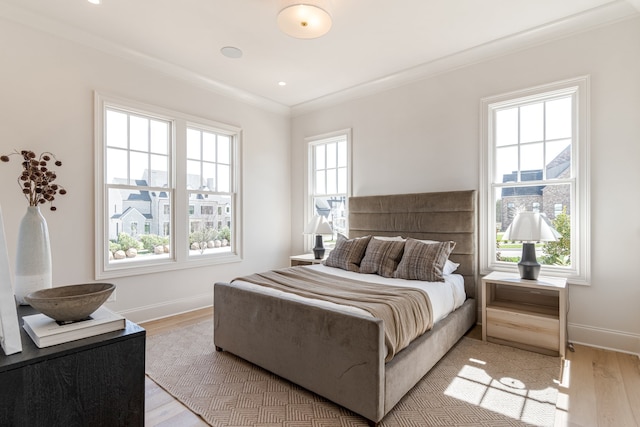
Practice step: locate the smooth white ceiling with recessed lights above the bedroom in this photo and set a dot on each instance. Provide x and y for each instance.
(372, 44)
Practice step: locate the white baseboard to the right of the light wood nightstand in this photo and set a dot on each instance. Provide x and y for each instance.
(604, 338)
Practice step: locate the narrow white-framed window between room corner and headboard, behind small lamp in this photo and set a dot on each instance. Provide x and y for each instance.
(329, 181)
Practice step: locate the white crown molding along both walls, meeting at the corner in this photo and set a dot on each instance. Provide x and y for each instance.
(603, 15)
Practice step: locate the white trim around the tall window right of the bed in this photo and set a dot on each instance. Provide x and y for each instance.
(580, 273)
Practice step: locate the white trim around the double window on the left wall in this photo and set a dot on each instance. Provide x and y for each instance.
(179, 217)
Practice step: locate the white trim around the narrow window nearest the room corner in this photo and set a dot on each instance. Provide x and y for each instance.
(308, 206)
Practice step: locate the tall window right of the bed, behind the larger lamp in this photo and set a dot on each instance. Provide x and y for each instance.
(534, 158)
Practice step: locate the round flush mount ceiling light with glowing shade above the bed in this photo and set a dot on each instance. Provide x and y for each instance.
(304, 21)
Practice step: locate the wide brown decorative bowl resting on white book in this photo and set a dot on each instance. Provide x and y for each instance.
(70, 303)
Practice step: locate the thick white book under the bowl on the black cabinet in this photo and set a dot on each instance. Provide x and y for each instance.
(45, 332)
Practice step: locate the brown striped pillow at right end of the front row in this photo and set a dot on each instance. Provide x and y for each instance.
(424, 261)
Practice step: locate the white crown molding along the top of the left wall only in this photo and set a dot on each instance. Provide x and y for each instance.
(75, 35)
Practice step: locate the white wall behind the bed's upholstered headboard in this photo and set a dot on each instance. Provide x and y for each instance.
(425, 137)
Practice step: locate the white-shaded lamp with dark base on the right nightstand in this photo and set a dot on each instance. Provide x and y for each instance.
(529, 228)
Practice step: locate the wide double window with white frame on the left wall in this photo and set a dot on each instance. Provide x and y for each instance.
(170, 172)
